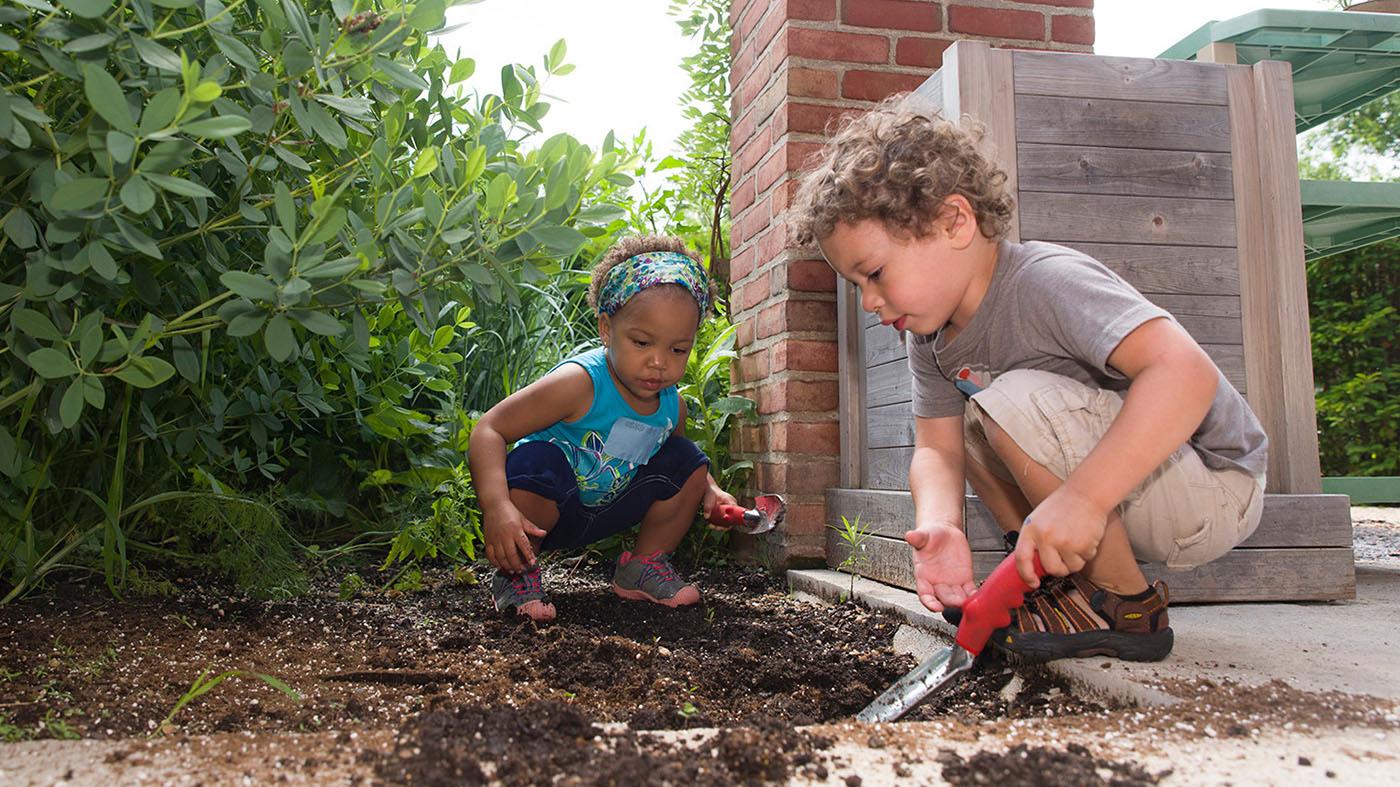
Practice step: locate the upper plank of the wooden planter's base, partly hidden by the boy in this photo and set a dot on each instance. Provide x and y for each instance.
(1289, 520)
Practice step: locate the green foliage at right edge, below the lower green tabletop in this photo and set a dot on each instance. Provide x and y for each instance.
(1356, 326)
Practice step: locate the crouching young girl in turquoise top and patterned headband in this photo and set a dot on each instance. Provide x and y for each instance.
(603, 439)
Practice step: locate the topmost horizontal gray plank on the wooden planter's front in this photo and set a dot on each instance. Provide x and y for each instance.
(1142, 79)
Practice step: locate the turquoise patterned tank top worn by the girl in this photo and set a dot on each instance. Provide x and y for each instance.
(612, 440)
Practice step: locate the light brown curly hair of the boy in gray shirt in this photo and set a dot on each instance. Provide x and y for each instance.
(898, 165)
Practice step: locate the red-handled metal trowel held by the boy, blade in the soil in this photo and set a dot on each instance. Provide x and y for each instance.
(988, 610)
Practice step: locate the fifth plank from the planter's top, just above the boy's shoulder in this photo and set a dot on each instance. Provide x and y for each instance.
(1196, 271)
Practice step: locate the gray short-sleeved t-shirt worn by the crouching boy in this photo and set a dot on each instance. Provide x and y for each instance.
(1058, 310)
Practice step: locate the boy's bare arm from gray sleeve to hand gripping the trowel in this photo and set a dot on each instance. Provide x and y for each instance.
(1174, 386)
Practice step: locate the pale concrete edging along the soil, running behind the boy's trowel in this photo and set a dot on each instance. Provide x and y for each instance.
(1084, 676)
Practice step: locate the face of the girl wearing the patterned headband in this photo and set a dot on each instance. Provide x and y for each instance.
(649, 342)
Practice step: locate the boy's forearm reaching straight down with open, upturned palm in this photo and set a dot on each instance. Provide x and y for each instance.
(943, 561)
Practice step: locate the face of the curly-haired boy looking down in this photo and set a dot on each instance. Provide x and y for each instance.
(911, 284)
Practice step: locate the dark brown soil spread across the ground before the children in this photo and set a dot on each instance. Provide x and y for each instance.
(436, 688)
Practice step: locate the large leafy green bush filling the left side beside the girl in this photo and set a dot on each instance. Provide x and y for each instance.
(243, 247)
